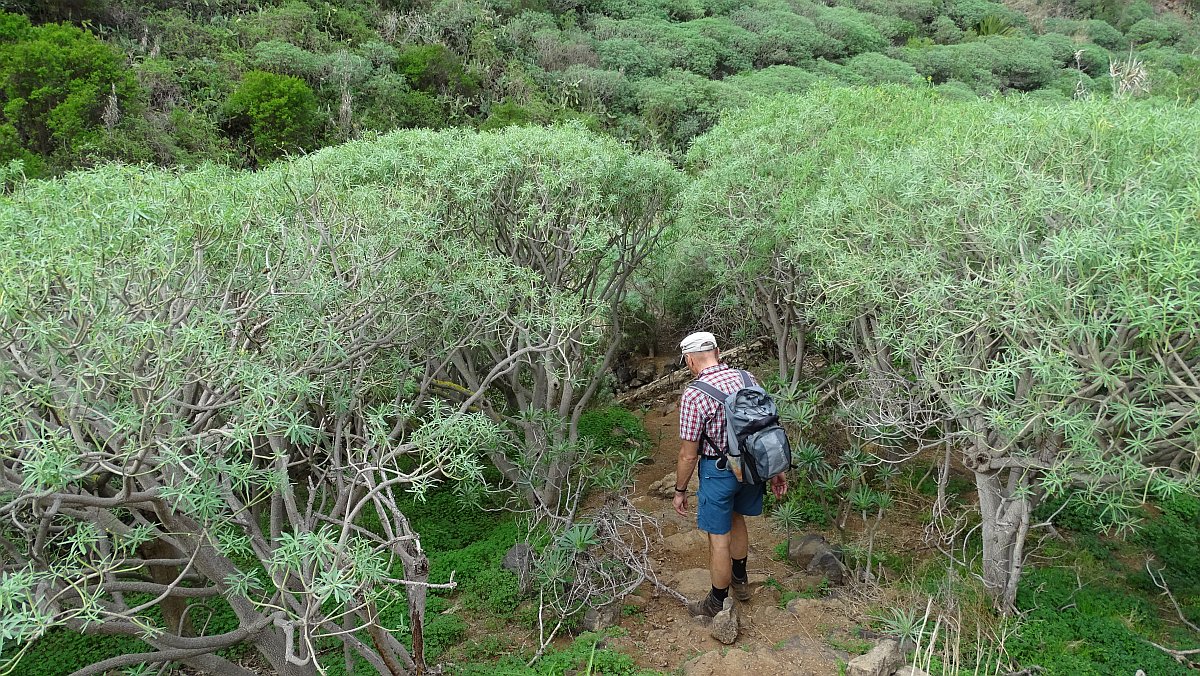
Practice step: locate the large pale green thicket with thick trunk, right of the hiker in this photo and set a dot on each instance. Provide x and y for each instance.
(1015, 283)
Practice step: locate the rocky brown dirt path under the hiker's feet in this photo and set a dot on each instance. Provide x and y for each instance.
(772, 641)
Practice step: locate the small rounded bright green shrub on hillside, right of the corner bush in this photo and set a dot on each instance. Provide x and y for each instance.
(277, 113)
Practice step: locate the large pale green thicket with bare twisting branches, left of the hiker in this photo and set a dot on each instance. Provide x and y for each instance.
(220, 386)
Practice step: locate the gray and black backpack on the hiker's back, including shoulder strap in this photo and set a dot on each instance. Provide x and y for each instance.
(757, 445)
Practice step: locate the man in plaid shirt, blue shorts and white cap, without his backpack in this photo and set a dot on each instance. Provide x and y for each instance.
(723, 501)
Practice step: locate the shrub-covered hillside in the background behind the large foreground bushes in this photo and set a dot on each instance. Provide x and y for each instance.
(243, 82)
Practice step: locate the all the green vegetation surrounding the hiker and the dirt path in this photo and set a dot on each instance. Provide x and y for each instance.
(242, 392)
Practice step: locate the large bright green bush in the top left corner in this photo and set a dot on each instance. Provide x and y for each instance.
(56, 82)
